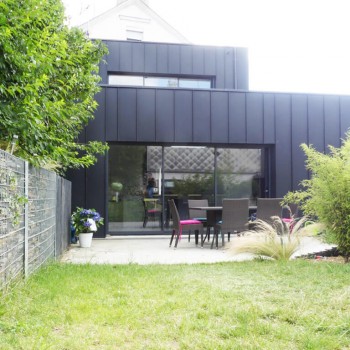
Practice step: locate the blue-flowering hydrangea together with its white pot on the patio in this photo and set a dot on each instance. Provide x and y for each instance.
(86, 222)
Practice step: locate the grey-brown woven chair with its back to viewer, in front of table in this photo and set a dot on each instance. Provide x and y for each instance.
(235, 213)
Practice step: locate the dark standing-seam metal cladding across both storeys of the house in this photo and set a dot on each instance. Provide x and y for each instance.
(224, 118)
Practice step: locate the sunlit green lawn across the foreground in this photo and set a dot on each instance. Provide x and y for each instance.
(248, 305)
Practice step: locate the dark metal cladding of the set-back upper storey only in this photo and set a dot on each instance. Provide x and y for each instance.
(227, 66)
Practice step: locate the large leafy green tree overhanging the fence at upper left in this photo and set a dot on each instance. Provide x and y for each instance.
(48, 80)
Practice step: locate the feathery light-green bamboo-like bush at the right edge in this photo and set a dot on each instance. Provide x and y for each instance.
(326, 194)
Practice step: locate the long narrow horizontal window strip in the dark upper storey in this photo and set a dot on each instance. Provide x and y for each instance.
(157, 81)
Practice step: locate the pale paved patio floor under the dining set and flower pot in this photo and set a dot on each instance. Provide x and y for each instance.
(155, 250)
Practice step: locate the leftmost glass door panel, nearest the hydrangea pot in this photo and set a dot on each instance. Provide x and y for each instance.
(129, 174)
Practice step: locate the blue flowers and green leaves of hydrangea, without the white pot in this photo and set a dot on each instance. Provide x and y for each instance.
(86, 220)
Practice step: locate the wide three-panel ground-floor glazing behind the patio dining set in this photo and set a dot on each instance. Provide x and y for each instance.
(178, 173)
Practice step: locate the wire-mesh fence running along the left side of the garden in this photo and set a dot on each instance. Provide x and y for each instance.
(35, 206)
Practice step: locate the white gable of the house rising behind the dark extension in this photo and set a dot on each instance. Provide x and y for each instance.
(132, 15)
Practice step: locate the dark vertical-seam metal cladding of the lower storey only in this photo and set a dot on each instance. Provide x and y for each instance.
(224, 118)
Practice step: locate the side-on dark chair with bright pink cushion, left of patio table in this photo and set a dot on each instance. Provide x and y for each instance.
(180, 225)
